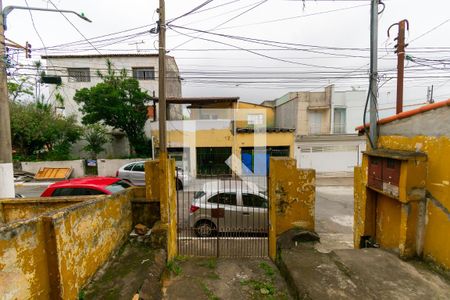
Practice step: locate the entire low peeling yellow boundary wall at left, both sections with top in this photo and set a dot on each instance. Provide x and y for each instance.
(52, 255)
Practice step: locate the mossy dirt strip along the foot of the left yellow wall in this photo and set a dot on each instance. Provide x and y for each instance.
(123, 275)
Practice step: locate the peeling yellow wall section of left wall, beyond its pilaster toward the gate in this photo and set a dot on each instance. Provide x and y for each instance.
(86, 234)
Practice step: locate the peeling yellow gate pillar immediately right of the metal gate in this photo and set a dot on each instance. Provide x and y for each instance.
(292, 194)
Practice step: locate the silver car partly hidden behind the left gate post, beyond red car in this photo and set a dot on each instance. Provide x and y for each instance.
(135, 174)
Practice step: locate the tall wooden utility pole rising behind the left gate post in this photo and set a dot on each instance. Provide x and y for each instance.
(162, 78)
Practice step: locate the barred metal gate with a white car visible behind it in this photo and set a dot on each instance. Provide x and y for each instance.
(223, 216)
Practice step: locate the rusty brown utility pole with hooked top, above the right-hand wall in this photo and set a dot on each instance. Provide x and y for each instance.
(402, 25)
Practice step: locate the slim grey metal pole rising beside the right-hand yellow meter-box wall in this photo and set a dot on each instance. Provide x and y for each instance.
(373, 134)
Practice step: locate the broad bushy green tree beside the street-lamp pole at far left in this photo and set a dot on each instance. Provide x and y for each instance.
(37, 131)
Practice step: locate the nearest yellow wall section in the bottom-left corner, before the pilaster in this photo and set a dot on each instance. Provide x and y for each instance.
(23, 261)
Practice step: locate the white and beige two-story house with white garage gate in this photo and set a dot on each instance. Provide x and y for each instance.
(324, 125)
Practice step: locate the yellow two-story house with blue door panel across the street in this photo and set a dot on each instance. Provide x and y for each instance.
(225, 136)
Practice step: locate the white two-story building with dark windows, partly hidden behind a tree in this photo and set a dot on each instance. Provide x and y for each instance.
(81, 71)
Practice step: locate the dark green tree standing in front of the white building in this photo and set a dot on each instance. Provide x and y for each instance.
(119, 102)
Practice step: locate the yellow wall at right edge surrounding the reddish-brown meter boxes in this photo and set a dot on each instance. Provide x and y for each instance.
(422, 227)
